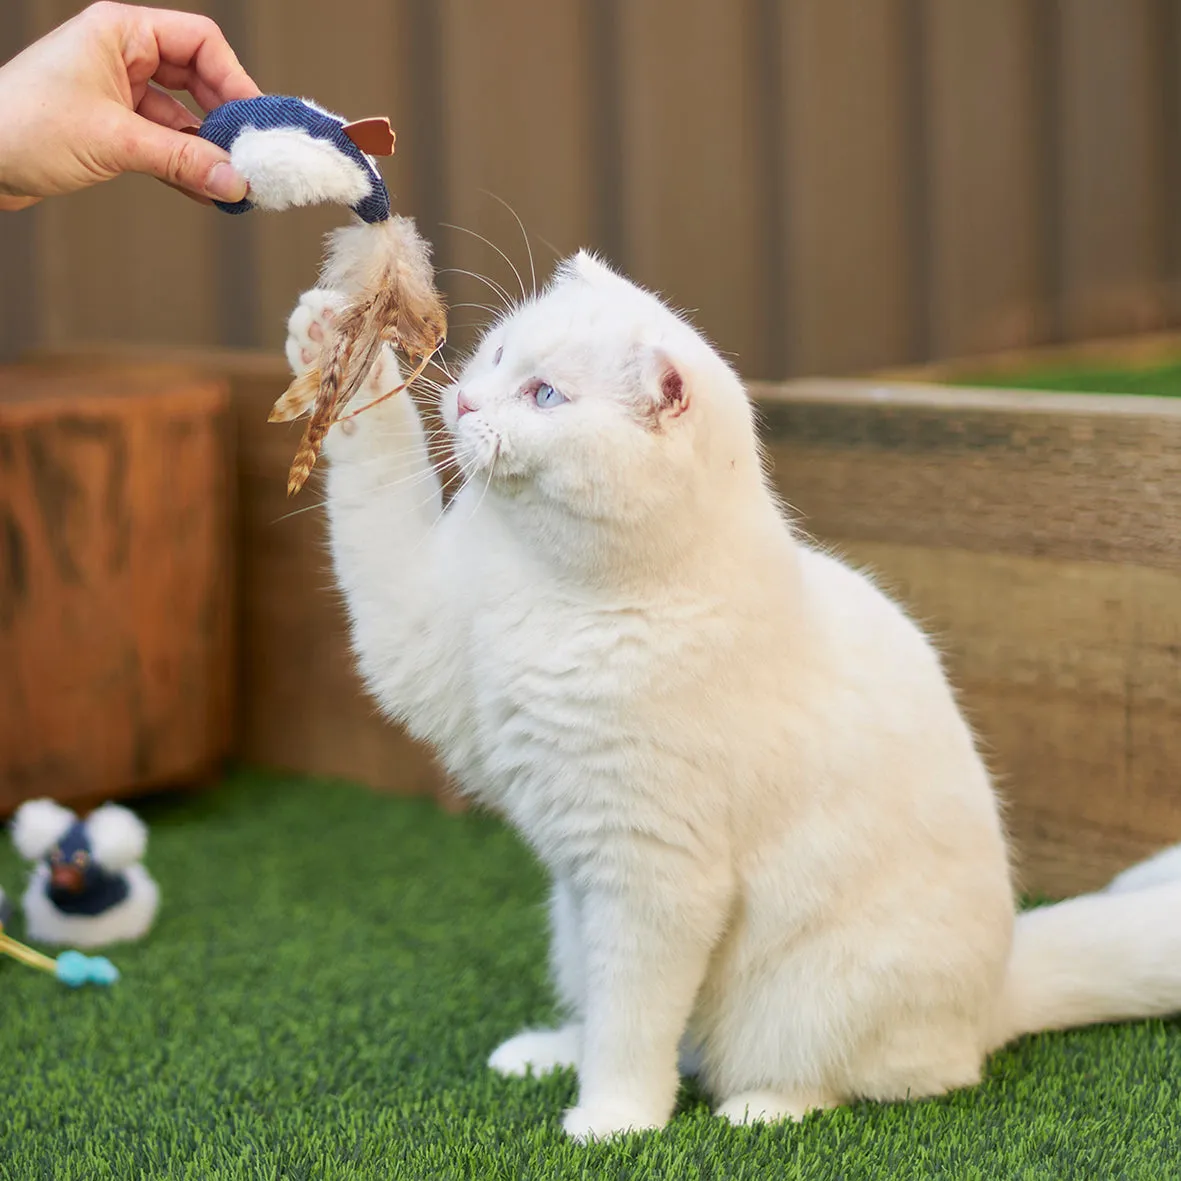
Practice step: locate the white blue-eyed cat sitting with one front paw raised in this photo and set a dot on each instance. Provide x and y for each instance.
(774, 846)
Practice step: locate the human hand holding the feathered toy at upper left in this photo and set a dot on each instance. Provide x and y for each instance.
(80, 107)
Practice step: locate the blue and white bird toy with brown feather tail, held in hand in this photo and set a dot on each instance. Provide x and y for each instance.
(293, 153)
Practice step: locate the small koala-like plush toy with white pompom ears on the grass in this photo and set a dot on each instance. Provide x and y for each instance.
(88, 888)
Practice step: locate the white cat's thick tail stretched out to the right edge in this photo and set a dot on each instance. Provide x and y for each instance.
(1112, 956)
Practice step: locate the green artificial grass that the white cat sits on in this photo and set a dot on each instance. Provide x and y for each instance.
(330, 971)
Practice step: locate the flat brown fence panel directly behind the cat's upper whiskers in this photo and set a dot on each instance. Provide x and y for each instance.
(518, 125)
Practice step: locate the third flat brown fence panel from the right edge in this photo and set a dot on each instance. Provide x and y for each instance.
(852, 289)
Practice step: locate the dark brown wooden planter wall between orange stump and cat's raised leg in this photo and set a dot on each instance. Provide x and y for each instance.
(302, 707)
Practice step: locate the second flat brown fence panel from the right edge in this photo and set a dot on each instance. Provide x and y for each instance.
(988, 290)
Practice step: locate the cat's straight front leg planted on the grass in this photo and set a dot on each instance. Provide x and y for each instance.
(647, 942)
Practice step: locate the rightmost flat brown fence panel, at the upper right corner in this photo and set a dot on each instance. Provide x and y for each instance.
(1112, 217)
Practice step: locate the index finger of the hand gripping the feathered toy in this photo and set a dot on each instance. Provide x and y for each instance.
(195, 56)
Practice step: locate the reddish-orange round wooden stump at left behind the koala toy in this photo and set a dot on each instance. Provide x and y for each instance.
(116, 558)
